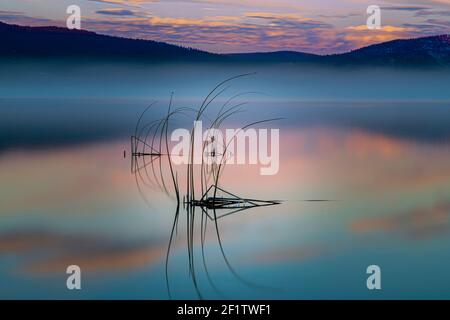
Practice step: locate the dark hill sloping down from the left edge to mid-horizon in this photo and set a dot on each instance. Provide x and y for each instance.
(21, 41)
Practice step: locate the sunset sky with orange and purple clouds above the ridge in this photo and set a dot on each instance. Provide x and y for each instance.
(225, 26)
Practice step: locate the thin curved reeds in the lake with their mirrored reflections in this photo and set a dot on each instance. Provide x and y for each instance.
(150, 154)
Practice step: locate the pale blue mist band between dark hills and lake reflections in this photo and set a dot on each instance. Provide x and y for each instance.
(36, 79)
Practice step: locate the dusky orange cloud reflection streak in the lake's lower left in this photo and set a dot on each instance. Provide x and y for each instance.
(91, 253)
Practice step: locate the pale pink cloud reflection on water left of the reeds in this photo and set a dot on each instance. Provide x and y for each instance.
(57, 178)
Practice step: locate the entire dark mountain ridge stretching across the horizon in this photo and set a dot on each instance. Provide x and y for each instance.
(21, 41)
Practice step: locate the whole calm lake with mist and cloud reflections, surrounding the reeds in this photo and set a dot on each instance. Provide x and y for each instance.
(377, 142)
